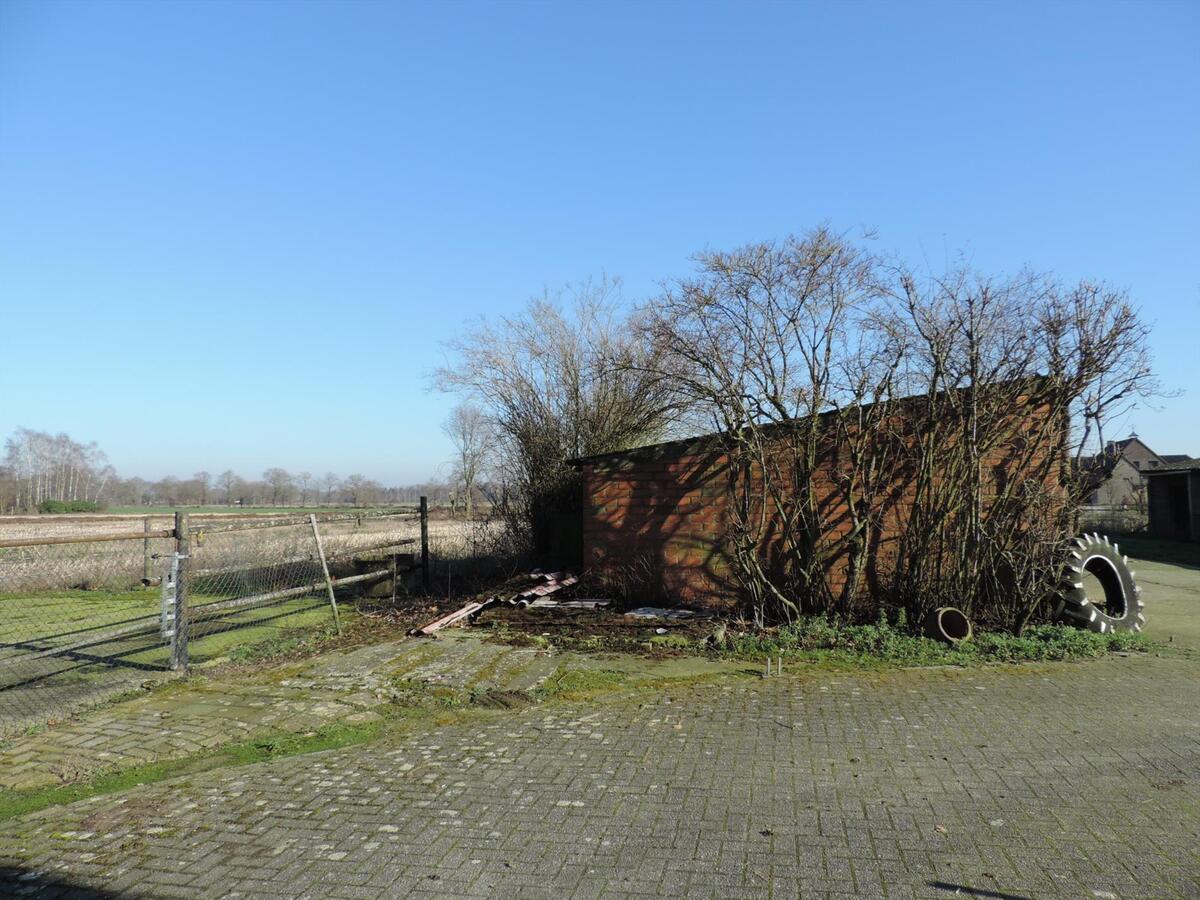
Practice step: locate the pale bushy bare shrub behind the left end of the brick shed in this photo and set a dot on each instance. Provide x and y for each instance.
(567, 377)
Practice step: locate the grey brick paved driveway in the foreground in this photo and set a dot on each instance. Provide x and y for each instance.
(1075, 781)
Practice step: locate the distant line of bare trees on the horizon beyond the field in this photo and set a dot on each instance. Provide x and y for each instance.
(55, 473)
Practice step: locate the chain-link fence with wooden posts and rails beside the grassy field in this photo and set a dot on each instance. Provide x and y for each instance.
(94, 610)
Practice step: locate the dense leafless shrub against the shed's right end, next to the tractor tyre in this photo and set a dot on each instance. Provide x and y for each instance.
(998, 490)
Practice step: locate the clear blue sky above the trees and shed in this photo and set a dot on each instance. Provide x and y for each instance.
(236, 235)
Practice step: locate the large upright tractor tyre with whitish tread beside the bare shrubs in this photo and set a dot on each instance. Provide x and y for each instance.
(1120, 609)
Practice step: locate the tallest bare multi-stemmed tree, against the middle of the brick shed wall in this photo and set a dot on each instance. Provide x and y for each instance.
(758, 345)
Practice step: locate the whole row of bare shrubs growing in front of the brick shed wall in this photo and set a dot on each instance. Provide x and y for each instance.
(949, 411)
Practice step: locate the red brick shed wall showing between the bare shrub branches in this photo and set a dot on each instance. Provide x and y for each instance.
(657, 518)
